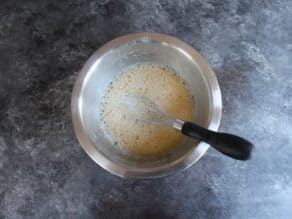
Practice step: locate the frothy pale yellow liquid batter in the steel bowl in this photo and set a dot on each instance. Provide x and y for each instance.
(163, 86)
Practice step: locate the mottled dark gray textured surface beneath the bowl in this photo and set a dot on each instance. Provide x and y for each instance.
(44, 173)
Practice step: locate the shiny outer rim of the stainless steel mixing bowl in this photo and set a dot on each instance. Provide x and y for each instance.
(133, 172)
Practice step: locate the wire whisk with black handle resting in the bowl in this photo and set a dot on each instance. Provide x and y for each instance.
(145, 110)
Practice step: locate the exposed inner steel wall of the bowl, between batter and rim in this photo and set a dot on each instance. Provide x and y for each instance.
(101, 72)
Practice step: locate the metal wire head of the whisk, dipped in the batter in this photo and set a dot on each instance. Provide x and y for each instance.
(145, 110)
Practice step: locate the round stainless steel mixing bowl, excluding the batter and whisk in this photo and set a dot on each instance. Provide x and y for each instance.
(105, 64)
